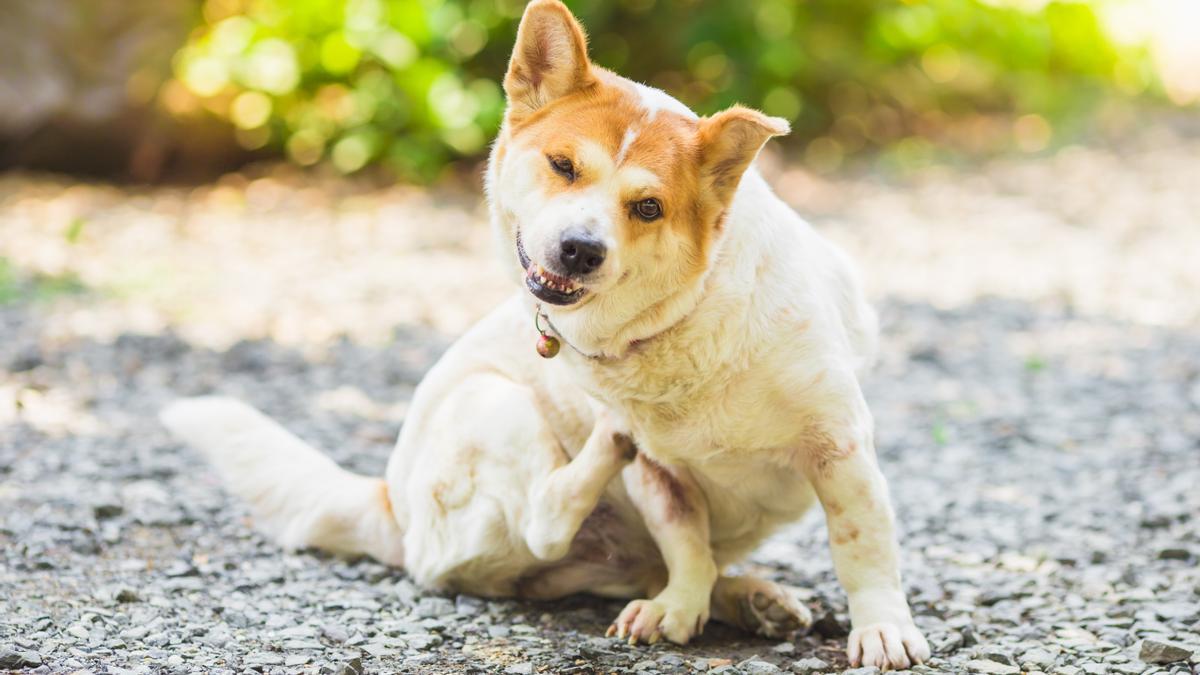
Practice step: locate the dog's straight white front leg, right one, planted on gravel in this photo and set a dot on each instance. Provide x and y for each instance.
(862, 535)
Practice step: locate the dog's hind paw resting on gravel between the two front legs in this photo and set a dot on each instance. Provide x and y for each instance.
(759, 606)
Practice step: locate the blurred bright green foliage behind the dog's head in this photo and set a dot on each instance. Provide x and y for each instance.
(416, 83)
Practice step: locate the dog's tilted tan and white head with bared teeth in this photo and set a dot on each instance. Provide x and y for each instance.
(608, 192)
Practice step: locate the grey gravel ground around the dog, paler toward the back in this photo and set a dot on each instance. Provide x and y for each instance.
(1042, 438)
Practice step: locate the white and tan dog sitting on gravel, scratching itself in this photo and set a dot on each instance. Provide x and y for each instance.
(707, 392)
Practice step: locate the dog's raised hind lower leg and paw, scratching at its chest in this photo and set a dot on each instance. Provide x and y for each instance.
(561, 500)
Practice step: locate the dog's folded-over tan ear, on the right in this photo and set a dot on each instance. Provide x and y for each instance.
(729, 142)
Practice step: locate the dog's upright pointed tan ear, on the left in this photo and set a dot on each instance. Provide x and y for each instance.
(550, 59)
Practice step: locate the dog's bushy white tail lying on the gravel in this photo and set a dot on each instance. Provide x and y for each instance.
(298, 497)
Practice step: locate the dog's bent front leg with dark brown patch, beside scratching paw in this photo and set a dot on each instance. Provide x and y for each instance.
(676, 513)
